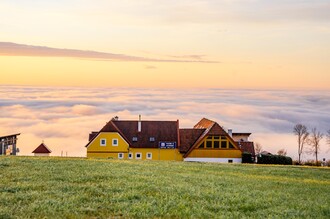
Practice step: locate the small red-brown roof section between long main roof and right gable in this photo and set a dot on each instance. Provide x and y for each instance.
(188, 137)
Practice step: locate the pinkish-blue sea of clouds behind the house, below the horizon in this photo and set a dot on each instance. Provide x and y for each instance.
(63, 117)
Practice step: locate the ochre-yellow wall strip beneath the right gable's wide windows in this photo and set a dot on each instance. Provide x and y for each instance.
(216, 153)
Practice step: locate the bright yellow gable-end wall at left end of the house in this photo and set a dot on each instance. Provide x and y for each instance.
(96, 150)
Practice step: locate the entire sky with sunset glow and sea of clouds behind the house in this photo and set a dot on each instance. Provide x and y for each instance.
(267, 59)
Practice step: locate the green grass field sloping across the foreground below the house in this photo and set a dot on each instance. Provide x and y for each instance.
(83, 188)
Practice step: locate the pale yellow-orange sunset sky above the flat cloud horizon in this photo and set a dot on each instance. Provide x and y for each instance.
(195, 43)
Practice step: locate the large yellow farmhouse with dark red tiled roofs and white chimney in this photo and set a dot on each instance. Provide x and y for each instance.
(164, 140)
